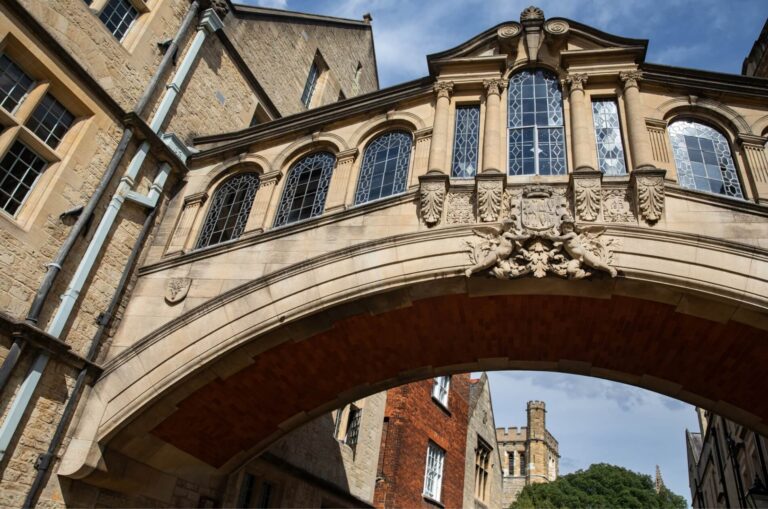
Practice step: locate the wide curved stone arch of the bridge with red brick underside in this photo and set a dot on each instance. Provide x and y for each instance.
(711, 287)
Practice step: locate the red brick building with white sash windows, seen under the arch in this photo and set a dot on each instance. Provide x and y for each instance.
(423, 444)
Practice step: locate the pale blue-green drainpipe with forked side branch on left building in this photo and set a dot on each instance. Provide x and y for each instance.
(209, 23)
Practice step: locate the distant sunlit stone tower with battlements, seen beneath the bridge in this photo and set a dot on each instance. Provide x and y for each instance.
(529, 455)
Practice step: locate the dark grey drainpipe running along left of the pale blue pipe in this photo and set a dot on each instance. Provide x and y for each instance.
(55, 266)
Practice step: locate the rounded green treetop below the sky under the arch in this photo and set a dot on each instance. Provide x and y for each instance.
(599, 486)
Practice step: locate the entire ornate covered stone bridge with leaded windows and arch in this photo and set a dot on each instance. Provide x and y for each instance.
(637, 277)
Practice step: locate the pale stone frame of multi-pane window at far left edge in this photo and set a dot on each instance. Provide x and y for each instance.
(13, 125)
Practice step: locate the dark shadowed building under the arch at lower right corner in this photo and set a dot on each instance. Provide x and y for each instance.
(727, 463)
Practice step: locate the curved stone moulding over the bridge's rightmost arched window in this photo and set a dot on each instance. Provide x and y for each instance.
(722, 116)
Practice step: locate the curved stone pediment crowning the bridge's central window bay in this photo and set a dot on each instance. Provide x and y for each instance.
(534, 38)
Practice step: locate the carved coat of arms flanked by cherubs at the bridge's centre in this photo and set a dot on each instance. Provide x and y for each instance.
(544, 240)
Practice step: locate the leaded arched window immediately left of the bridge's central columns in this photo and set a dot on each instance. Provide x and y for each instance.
(385, 167)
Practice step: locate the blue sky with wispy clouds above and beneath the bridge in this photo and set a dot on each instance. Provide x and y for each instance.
(594, 420)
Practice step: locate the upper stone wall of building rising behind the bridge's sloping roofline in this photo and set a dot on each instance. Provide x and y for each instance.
(293, 44)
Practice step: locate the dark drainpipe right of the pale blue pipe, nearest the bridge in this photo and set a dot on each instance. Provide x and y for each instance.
(45, 460)
